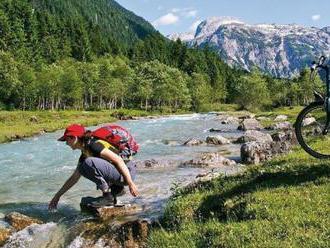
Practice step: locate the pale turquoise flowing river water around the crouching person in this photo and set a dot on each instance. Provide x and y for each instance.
(33, 170)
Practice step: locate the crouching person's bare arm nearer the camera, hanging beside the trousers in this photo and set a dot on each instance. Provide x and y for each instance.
(121, 167)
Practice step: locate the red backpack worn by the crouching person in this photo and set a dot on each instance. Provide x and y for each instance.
(118, 137)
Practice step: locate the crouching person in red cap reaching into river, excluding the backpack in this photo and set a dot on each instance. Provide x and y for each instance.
(99, 163)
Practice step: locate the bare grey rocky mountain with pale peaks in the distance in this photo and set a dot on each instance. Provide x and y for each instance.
(281, 50)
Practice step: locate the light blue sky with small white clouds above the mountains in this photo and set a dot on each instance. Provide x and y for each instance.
(169, 16)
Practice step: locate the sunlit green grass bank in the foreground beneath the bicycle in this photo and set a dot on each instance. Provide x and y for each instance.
(282, 203)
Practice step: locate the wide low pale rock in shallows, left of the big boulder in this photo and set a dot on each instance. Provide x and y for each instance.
(209, 160)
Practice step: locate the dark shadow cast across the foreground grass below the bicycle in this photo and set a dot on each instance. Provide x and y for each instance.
(231, 204)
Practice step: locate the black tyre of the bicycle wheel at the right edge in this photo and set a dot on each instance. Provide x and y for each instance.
(299, 132)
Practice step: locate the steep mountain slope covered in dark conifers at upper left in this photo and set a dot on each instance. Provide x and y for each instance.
(49, 30)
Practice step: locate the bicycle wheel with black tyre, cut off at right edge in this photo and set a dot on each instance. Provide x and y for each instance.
(309, 128)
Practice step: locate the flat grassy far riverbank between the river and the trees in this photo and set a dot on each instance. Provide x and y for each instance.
(16, 125)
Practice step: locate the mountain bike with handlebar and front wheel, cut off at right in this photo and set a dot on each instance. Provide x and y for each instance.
(313, 122)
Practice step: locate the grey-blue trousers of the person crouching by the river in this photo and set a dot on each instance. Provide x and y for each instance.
(103, 173)
